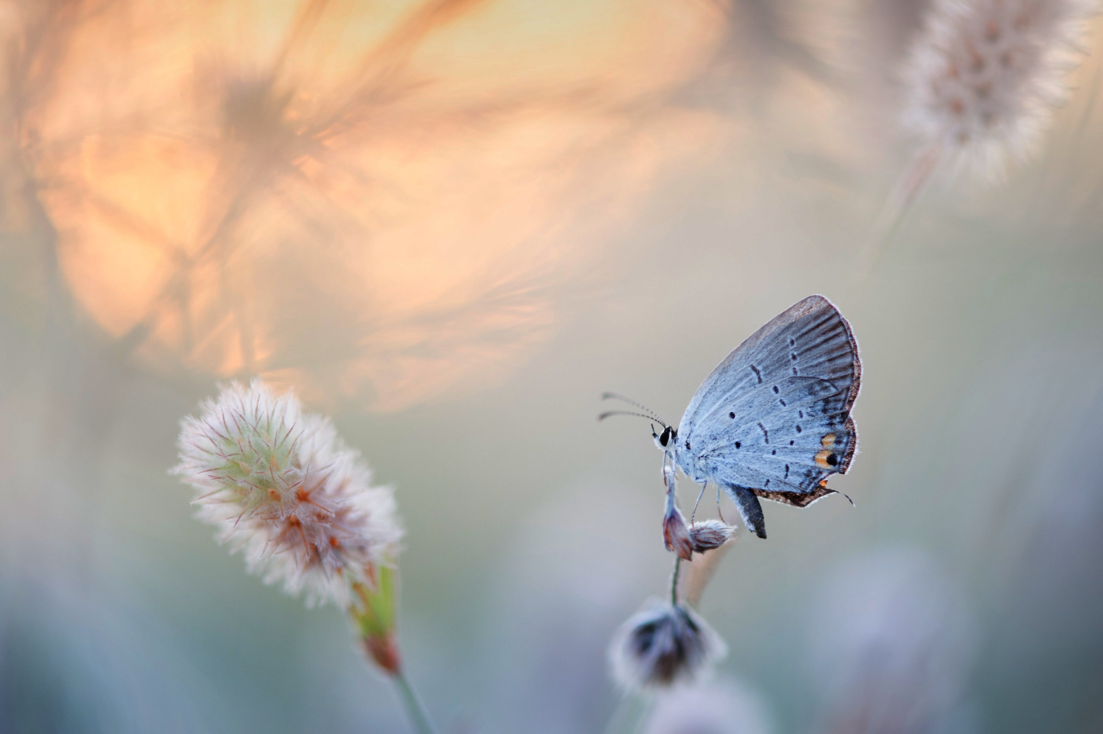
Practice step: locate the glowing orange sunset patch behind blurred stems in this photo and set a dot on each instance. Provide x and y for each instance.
(369, 200)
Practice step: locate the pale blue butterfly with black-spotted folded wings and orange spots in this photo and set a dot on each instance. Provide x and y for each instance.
(773, 421)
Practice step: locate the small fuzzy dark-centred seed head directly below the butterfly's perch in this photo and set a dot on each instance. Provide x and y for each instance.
(663, 645)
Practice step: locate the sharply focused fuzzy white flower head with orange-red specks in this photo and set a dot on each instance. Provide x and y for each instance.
(283, 487)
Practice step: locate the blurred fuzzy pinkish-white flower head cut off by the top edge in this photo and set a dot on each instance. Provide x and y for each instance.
(984, 77)
